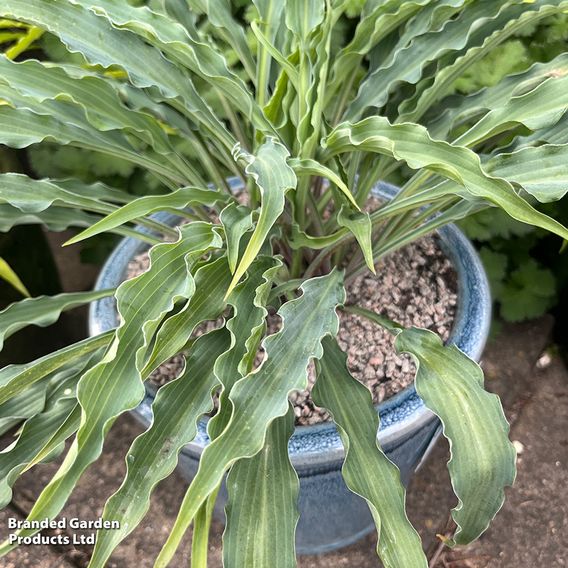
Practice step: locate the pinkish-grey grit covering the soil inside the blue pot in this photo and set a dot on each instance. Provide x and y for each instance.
(415, 286)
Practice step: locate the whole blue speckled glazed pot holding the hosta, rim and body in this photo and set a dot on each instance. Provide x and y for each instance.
(330, 515)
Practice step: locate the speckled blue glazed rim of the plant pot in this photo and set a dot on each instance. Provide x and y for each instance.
(400, 415)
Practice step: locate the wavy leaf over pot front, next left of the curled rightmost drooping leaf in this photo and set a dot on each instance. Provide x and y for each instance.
(366, 470)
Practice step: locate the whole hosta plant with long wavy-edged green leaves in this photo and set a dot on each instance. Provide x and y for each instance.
(309, 126)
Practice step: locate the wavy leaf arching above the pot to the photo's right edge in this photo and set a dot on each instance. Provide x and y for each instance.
(412, 144)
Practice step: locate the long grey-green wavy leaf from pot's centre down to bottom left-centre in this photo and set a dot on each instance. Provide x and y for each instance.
(306, 320)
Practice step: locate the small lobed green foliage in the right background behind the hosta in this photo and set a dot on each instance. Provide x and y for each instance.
(528, 277)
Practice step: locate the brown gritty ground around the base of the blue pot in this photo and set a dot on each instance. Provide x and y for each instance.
(531, 530)
